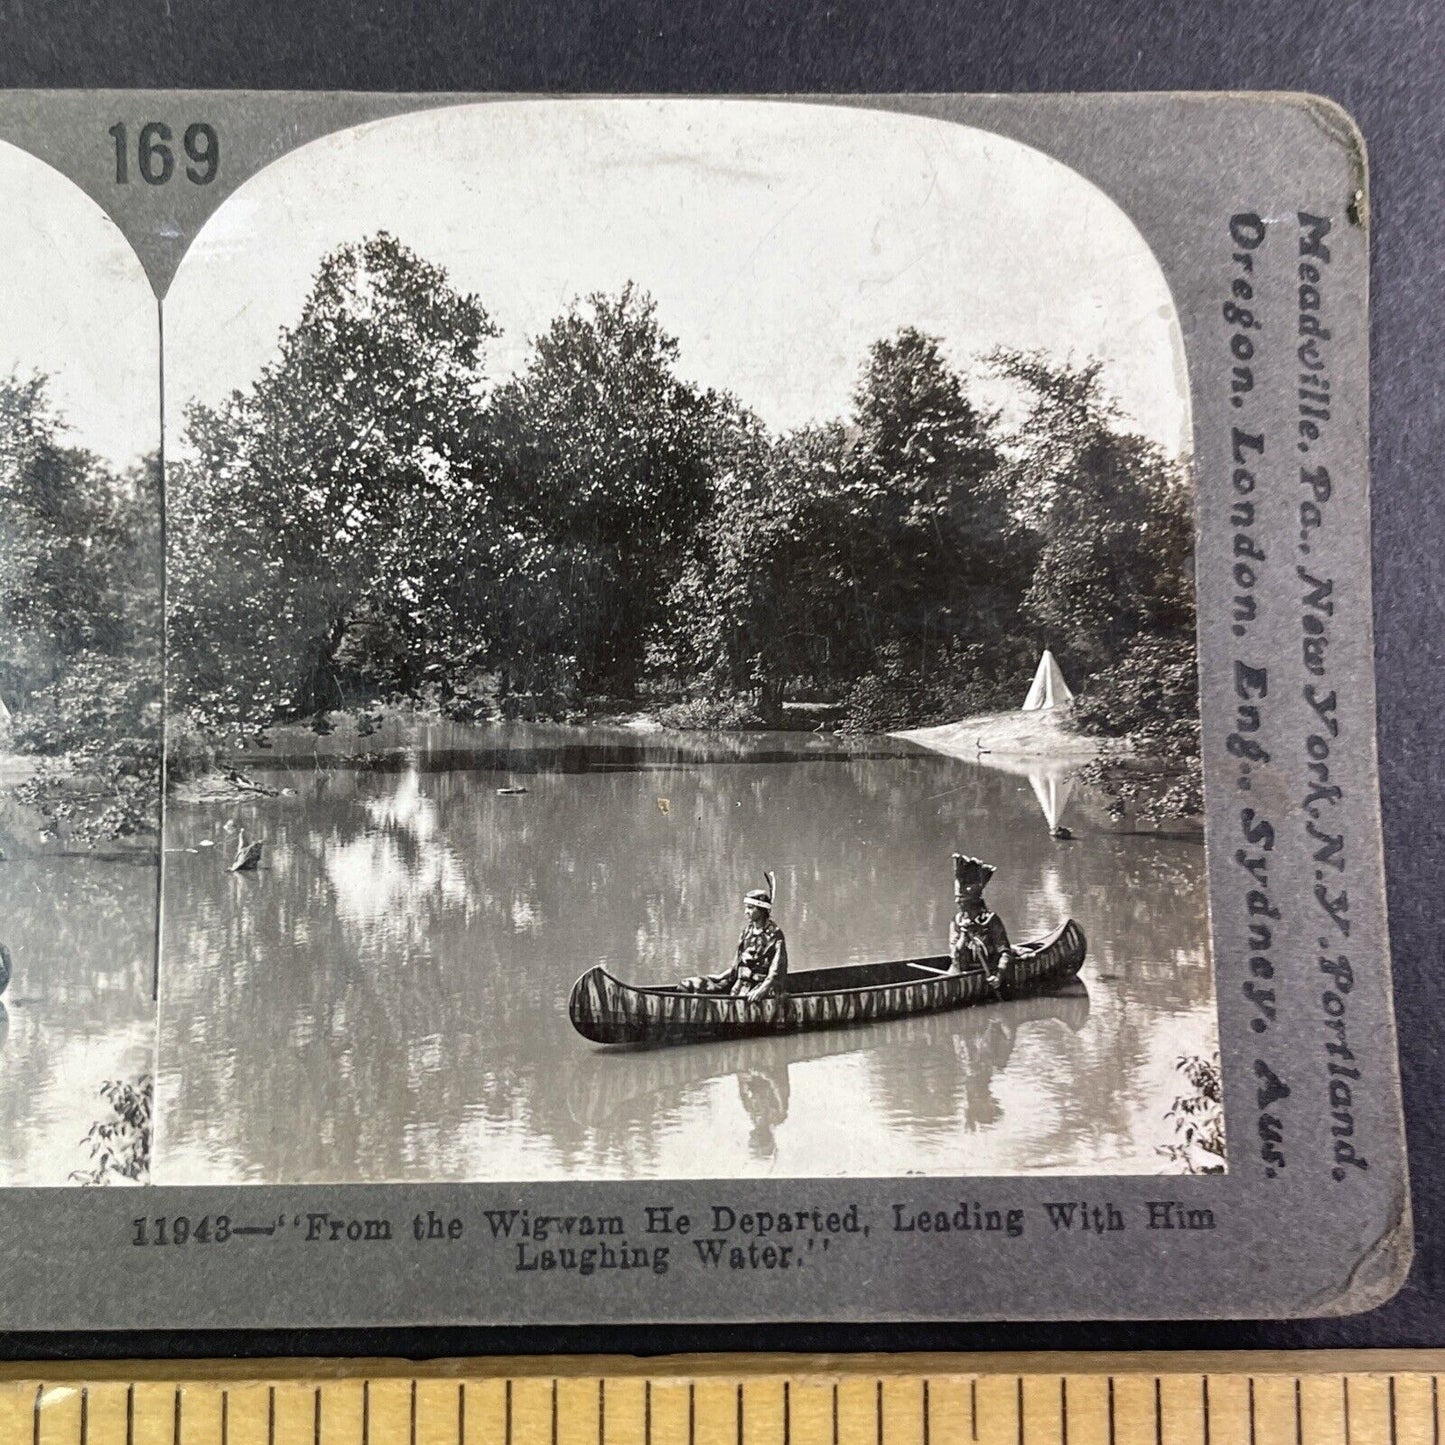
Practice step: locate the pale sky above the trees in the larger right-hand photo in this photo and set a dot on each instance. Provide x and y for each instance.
(780, 242)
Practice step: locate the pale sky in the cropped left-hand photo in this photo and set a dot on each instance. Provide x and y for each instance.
(77, 307)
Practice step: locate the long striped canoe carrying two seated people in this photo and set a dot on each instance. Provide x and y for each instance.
(608, 1011)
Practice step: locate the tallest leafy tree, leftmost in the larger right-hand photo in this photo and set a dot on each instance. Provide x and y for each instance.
(288, 512)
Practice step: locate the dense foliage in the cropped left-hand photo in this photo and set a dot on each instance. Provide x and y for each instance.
(80, 625)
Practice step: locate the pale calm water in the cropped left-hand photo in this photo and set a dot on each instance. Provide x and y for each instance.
(82, 928)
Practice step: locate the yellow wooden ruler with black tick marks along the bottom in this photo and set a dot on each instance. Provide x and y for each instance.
(1365, 1398)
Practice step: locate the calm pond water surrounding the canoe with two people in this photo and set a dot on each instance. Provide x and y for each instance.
(387, 999)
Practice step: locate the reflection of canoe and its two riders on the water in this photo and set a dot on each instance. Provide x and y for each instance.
(612, 1086)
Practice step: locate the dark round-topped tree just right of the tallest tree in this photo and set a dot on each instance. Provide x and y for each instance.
(608, 452)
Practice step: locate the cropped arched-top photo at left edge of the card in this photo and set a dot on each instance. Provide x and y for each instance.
(80, 689)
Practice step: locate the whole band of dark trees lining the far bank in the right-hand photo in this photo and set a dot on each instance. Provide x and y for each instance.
(375, 519)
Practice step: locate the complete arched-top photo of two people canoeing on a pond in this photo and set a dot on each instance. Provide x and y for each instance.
(681, 663)
